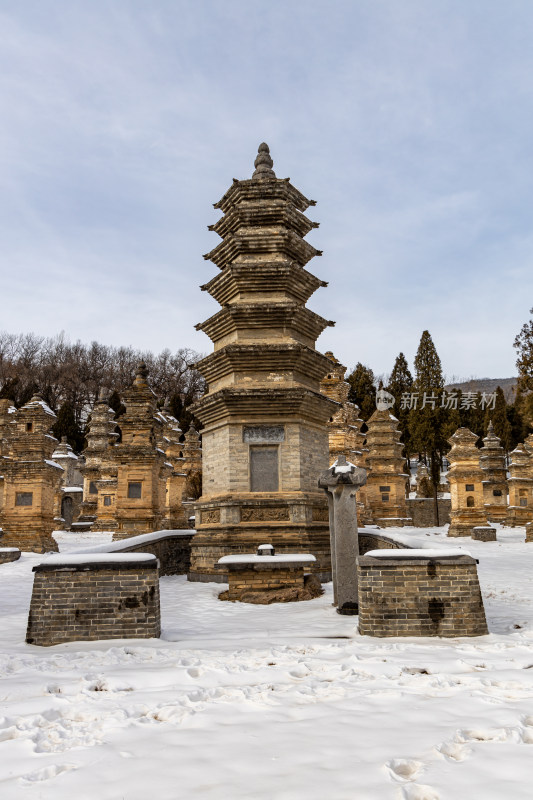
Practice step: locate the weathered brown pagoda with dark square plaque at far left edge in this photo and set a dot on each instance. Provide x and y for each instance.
(32, 480)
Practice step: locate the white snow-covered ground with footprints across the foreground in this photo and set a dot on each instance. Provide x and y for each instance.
(281, 702)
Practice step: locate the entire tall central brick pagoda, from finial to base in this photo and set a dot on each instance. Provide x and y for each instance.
(265, 439)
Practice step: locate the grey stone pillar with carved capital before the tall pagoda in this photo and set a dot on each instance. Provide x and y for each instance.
(340, 483)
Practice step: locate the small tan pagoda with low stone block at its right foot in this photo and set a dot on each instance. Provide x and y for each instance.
(465, 477)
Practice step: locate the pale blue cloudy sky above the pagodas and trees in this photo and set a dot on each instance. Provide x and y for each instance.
(410, 123)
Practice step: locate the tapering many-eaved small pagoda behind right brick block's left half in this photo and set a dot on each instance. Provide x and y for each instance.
(387, 481)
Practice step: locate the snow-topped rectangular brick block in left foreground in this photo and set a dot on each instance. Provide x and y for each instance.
(92, 597)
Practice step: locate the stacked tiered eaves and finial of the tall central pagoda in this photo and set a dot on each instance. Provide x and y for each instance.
(264, 334)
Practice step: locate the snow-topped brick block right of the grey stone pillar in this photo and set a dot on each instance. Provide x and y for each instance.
(419, 593)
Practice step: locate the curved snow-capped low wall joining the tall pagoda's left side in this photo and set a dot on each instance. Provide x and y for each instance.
(172, 548)
